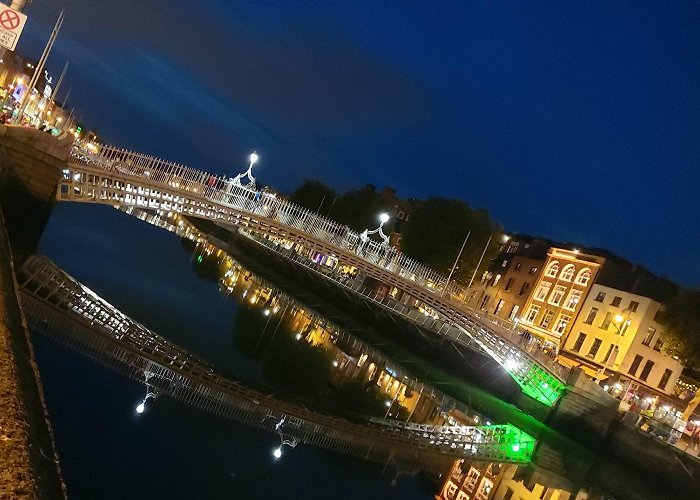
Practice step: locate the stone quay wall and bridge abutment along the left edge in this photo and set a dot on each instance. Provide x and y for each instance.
(29, 169)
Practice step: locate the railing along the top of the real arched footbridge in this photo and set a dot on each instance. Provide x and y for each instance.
(153, 172)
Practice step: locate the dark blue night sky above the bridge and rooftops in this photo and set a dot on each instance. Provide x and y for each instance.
(575, 121)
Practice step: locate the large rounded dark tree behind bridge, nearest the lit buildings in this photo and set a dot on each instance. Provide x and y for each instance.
(436, 230)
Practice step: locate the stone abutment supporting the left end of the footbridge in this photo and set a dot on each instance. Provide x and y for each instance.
(31, 162)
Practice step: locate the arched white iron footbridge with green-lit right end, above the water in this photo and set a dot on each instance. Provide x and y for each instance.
(126, 179)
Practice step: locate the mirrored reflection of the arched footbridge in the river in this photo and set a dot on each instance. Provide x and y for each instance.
(57, 304)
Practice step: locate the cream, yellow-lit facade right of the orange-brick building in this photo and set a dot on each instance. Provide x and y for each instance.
(617, 333)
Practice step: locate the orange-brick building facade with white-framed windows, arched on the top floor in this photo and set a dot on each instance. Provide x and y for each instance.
(559, 293)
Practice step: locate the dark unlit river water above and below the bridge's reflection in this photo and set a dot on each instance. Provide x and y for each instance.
(173, 451)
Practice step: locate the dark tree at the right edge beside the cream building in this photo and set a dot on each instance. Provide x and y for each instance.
(681, 320)
